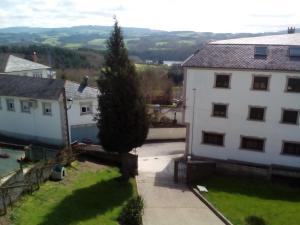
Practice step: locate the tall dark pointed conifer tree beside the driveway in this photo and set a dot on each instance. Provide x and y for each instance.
(123, 122)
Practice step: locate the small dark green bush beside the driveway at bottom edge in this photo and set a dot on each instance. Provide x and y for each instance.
(132, 212)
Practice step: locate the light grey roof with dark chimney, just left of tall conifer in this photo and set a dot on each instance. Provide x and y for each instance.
(78, 91)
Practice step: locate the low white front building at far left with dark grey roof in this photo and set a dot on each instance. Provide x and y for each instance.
(33, 110)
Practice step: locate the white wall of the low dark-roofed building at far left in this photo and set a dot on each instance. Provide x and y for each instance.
(33, 125)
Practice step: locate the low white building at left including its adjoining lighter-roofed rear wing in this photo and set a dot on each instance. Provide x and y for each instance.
(48, 111)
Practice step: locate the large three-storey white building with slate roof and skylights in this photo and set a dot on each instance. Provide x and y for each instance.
(242, 101)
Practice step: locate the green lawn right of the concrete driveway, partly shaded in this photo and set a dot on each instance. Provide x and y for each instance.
(239, 198)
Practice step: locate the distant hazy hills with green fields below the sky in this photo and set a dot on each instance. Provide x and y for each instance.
(142, 43)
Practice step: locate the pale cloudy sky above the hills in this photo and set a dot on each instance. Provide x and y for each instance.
(171, 15)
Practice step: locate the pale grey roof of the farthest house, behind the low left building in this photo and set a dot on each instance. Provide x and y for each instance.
(14, 64)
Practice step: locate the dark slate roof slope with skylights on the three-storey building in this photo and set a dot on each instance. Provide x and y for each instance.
(241, 56)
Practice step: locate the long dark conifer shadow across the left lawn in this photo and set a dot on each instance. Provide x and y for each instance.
(87, 203)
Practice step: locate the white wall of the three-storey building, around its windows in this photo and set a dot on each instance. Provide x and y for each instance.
(239, 97)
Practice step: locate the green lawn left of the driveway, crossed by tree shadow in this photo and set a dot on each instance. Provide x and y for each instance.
(90, 195)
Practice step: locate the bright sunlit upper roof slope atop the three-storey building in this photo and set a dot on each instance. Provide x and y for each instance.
(283, 39)
